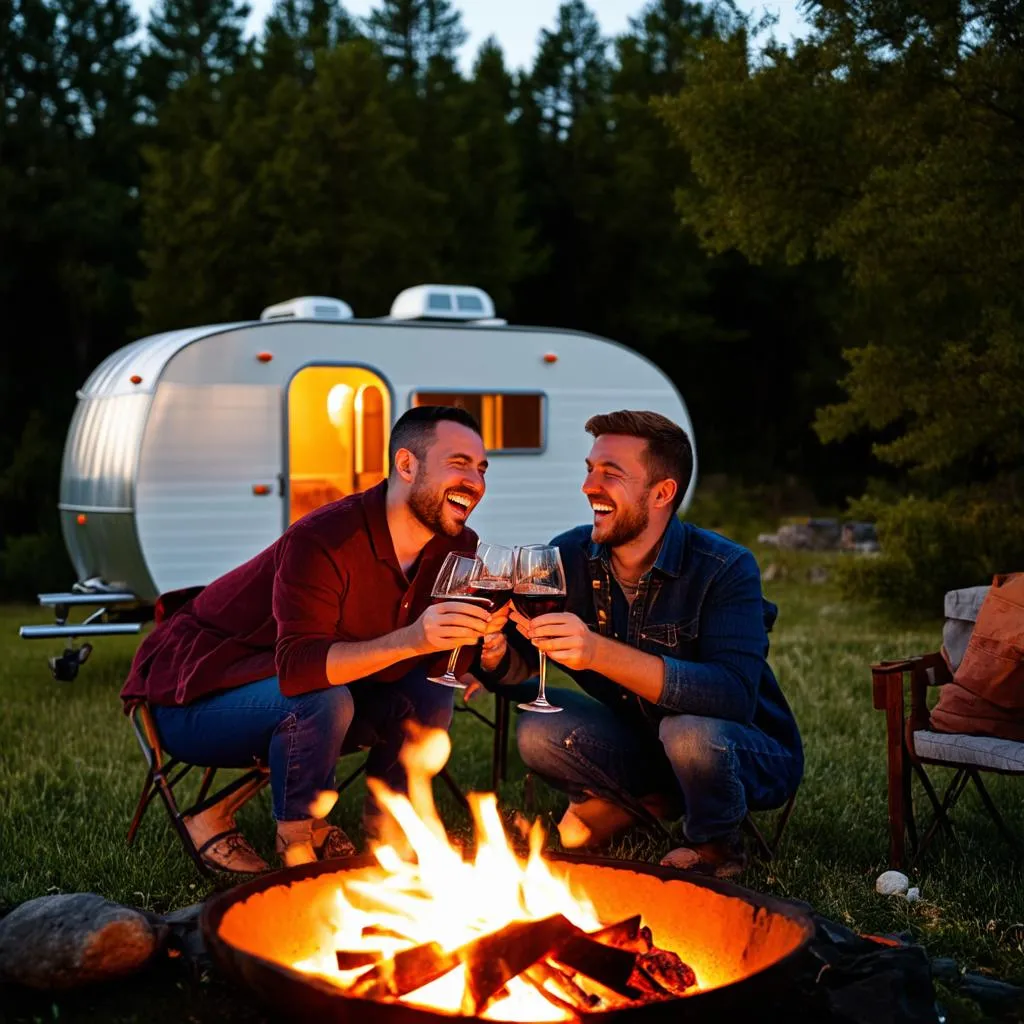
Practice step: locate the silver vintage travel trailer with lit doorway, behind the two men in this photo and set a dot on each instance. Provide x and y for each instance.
(192, 451)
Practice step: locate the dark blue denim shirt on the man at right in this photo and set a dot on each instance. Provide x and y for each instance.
(700, 609)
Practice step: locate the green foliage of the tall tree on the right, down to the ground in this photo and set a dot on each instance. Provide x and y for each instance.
(890, 144)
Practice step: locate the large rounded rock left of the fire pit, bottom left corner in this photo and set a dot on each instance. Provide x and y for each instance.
(65, 942)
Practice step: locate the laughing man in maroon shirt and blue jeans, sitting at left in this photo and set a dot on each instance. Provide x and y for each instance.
(322, 644)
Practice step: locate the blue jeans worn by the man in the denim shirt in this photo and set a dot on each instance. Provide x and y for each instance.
(713, 771)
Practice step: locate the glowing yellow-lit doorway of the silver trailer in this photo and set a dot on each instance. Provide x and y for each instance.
(338, 429)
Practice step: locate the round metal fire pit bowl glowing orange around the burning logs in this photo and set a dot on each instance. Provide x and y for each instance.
(746, 948)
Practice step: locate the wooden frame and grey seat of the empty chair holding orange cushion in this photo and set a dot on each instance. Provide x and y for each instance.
(912, 745)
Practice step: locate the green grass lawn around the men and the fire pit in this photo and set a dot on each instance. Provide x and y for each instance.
(70, 773)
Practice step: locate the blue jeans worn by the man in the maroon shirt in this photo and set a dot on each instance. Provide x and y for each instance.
(302, 739)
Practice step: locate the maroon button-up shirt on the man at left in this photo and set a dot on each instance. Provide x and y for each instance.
(332, 576)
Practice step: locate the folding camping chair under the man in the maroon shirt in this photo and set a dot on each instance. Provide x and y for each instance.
(164, 774)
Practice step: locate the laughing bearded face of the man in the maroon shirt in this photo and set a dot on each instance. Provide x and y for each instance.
(449, 482)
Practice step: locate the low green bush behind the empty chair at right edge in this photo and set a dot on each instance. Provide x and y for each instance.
(933, 546)
